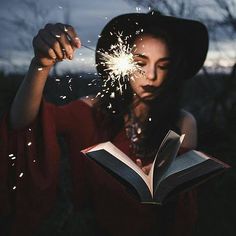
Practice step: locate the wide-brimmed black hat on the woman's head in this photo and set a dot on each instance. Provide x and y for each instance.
(190, 35)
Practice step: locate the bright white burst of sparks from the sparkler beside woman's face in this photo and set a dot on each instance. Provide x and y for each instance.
(119, 62)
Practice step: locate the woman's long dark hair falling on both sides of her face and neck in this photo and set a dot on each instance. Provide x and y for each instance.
(164, 109)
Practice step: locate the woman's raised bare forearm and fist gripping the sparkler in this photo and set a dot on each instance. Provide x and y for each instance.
(53, 43)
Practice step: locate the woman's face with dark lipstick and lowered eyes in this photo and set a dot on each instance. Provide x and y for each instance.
(152, 55)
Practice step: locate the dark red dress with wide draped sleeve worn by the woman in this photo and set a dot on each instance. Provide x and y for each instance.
(117, 211)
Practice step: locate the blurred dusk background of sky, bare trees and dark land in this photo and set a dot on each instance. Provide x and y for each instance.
(210, 96)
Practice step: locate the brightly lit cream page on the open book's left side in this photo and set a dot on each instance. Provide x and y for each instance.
(116, 152)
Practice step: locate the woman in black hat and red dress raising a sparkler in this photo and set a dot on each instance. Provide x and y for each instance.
(167, 50)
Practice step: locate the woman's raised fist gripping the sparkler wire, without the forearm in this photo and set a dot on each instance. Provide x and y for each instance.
(53, 43)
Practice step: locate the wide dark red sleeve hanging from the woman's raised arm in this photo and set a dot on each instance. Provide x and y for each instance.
(29, 163)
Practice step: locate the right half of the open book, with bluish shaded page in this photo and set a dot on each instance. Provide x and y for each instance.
(187, 171)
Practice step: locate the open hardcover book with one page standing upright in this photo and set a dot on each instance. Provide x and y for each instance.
(169, 175)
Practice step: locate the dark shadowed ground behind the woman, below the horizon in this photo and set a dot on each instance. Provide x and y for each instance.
(213, 103)
